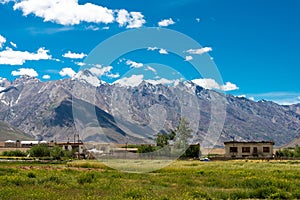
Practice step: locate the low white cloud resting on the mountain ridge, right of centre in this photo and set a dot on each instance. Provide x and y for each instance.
(210, 84)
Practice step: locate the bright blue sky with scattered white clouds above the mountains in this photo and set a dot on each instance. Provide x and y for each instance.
(254, 44)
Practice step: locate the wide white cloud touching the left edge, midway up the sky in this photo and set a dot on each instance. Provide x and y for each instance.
(11, 57)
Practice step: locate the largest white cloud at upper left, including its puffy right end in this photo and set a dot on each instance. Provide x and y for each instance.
(70, 12)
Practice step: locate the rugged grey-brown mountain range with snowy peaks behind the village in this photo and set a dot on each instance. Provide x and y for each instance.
(96, 111)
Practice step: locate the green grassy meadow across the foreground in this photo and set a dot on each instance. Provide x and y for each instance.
(181, 180)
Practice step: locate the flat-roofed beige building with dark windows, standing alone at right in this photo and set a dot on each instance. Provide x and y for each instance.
(236, 149)
